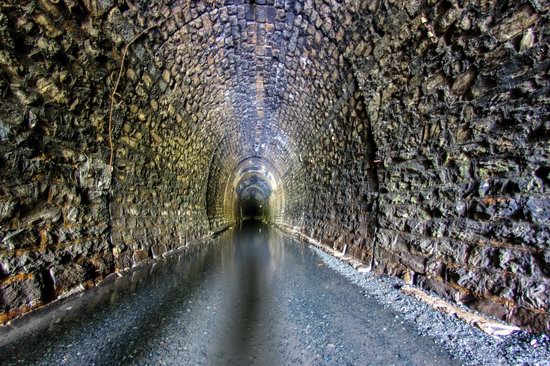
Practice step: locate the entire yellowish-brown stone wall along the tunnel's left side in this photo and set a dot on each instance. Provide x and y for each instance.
(65, 220)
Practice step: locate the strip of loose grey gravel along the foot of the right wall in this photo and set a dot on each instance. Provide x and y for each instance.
(467, 343)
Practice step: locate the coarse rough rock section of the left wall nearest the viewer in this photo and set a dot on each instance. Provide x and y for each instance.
(55, 177)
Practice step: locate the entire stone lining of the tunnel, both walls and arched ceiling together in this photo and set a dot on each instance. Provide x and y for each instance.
(412, 135)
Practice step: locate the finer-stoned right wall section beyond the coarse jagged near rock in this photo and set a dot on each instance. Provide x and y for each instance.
(332, 196)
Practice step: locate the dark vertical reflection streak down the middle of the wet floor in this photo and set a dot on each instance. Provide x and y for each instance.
(250, 296)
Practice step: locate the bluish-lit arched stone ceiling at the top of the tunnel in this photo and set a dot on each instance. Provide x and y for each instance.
(259, 78)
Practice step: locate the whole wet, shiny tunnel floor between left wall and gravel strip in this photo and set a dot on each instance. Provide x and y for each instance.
(255, 296)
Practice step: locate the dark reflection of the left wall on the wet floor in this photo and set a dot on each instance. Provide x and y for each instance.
(119, 311)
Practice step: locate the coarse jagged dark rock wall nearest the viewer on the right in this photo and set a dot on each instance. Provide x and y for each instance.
(457, 96)
